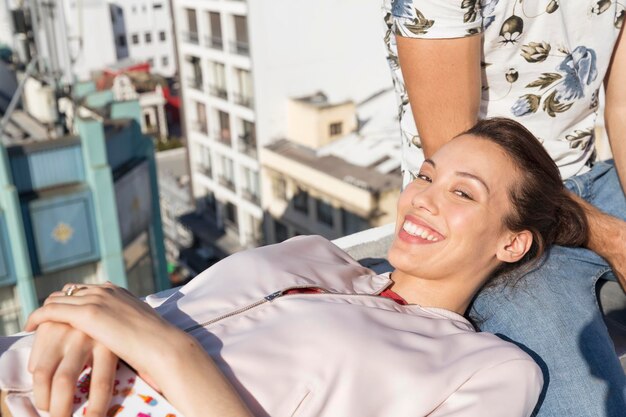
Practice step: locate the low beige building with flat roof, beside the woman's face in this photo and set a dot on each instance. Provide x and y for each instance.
(323, 181)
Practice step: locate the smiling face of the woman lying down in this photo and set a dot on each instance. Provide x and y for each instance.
(450, 219)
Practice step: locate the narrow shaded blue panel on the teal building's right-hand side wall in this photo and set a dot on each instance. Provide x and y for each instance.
(133, 195)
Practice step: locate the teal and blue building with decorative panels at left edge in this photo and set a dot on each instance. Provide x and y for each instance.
(81, 207)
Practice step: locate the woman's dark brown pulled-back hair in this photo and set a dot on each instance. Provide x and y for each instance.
(541, 204)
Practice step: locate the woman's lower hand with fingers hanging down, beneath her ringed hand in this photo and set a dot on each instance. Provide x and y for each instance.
(59, 355)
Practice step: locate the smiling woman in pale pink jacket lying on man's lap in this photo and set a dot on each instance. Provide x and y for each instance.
(300, 328)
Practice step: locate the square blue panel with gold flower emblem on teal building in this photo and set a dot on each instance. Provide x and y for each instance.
(63, 230)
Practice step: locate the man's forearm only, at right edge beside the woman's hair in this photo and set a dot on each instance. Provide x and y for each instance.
(607, 237)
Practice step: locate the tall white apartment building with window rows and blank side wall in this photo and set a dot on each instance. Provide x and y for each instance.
(241, 62)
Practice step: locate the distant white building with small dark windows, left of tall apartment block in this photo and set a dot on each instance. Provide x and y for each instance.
(142, 30)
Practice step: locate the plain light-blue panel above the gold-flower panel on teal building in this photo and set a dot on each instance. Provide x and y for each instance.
(36, 170)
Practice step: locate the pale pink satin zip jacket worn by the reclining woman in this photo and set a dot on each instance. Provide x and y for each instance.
(343, 352)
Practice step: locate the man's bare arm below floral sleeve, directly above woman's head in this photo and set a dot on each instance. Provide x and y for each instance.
(442, 78)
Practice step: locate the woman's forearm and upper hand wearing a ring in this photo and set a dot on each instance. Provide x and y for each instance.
(130, 329)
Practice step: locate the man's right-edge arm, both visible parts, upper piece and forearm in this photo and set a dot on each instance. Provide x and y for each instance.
(608, 234)
